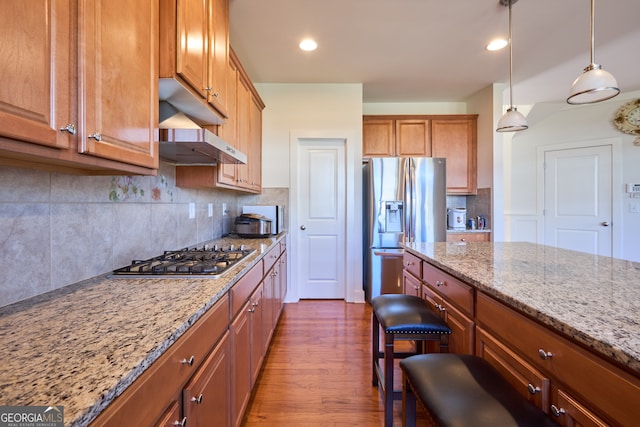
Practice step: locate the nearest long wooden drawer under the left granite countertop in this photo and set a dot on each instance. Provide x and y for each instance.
(152, 393)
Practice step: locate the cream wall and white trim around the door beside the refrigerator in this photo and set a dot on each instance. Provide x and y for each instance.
(320, 109)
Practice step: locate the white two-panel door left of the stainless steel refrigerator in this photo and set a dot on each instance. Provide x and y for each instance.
(321, 219)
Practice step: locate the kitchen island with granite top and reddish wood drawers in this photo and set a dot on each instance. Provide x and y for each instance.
(571, 318)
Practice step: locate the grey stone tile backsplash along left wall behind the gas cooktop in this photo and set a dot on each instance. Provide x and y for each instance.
(60, 229)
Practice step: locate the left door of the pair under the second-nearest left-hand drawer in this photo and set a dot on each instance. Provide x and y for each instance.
(241, 368)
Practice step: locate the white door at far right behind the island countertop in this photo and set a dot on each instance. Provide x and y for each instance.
(578, 199)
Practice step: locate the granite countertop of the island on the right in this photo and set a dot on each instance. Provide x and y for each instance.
(592, 299)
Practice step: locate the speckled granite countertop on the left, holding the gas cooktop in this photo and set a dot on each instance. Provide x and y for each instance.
(82, 345)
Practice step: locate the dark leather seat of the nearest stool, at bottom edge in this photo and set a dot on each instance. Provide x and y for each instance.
(463, 390)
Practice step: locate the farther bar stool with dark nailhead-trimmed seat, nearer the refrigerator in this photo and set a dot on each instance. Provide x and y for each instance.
(401, 317)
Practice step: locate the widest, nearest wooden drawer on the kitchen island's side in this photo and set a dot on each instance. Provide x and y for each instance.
(607, 388)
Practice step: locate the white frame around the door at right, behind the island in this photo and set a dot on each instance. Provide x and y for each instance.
(616, 185)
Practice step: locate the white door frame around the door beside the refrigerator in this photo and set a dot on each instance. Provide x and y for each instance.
(354, 291)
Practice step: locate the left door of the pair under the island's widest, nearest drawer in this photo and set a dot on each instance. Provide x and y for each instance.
(530, 383)
